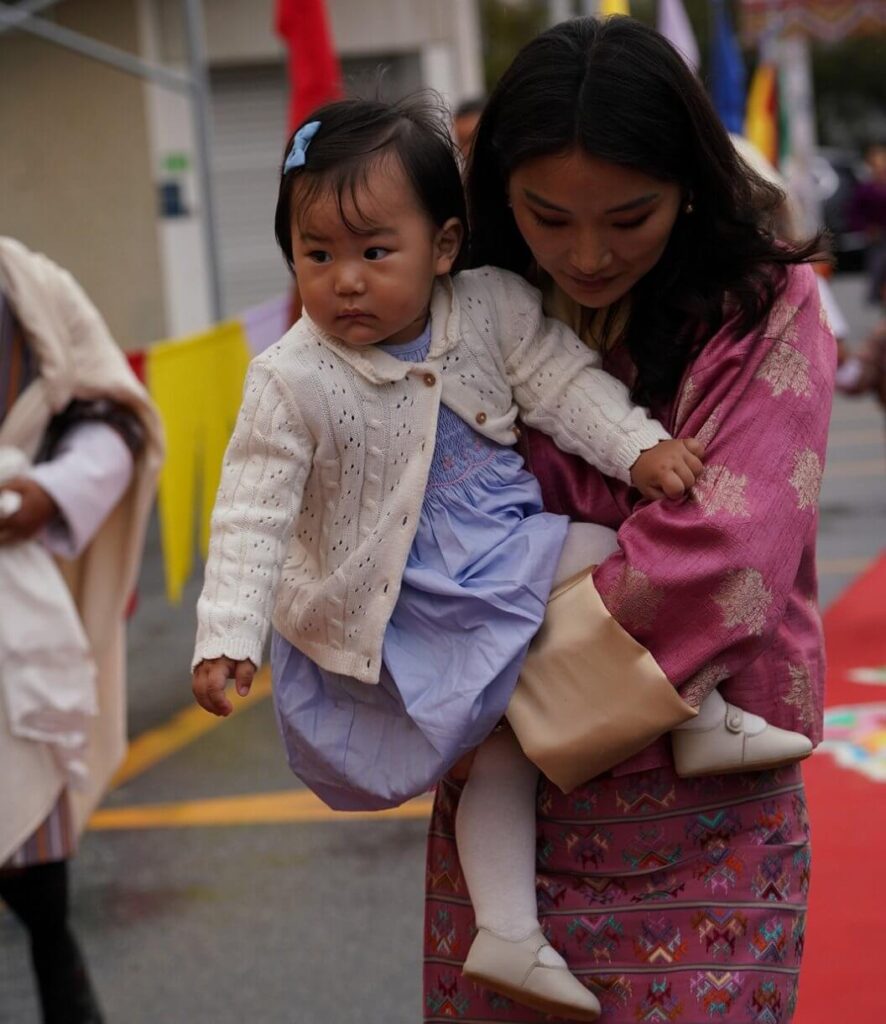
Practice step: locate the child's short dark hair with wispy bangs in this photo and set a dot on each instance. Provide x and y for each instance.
(354, 136)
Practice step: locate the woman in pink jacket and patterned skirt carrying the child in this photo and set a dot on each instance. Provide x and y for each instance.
(602, 173)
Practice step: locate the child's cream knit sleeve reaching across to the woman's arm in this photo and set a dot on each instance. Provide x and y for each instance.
(561, 390)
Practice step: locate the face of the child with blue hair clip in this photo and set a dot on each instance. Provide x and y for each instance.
(374, 286)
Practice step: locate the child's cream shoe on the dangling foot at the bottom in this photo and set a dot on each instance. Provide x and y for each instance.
(514, 970)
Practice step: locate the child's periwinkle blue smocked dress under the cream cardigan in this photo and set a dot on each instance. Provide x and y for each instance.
(474, 595)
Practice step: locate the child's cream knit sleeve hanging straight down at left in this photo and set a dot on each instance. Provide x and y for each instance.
(263, 481)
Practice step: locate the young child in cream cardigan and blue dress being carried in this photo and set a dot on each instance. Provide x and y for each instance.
(371, 497)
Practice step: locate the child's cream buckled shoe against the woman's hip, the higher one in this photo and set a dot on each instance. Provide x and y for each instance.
(726, 748)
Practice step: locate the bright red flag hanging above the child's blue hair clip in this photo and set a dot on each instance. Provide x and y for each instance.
(314, 71)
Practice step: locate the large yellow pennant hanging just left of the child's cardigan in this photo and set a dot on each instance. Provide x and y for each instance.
(197, 385)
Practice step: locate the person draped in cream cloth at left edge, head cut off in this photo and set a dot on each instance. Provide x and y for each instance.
(80, 452)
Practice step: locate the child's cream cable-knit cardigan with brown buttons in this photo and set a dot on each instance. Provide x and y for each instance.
(326, 472)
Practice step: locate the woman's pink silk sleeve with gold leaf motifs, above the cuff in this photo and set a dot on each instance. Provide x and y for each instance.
(703, 584)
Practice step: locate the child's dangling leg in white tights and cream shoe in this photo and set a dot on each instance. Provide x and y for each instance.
(496, 836)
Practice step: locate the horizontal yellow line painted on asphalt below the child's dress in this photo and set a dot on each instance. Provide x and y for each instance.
(262, 808)
